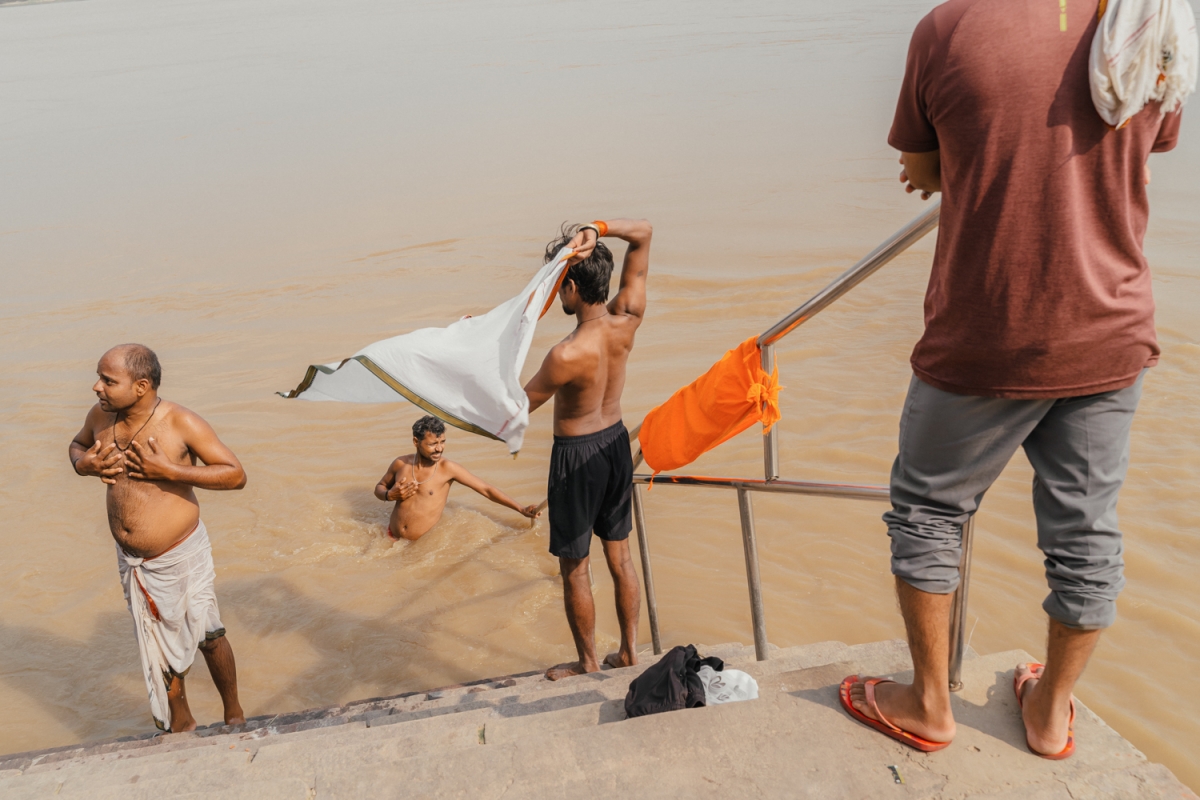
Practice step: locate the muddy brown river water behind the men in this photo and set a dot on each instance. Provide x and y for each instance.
(250, 188)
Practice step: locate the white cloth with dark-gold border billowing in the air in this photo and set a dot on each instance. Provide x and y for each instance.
(467, 374)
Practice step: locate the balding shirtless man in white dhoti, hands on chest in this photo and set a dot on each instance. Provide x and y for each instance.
(147, 449)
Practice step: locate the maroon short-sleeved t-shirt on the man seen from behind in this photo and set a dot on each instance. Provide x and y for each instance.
(1040, 286)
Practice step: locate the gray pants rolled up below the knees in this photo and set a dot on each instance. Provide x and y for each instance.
(955, 447)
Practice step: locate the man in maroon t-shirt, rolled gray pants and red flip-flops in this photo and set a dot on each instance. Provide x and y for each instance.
(1040, 326)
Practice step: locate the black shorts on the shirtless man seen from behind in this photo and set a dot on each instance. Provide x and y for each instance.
(591, 490)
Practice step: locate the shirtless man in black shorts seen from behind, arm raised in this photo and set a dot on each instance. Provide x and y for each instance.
(591, 470)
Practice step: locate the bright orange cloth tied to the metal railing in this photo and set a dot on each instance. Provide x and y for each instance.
(716, 407)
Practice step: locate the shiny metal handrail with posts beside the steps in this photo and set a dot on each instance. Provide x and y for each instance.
(896, 245)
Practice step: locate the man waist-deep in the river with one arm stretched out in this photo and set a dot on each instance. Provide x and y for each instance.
(421, 490)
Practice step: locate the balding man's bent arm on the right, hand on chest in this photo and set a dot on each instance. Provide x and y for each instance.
(221, 470)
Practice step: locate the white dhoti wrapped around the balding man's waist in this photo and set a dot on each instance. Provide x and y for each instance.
(185, 612)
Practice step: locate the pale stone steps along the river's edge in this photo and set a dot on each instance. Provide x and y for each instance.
(525, 737)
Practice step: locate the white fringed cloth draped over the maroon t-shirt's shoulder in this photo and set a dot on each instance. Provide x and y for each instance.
(1144, 51)
